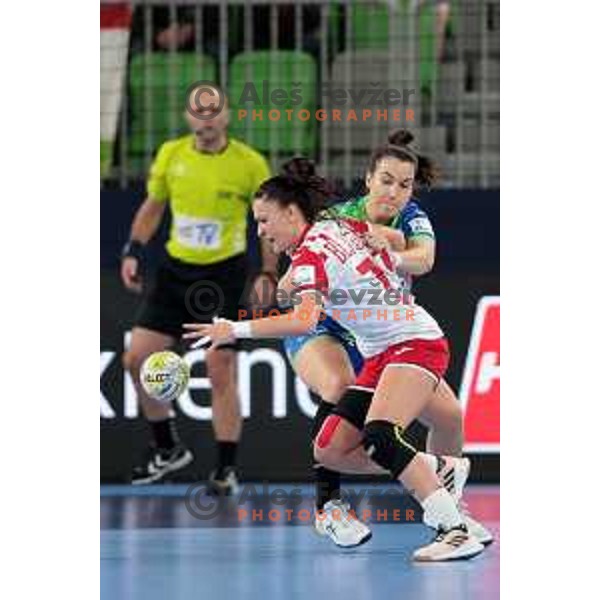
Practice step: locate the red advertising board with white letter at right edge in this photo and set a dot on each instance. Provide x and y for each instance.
(480, 388)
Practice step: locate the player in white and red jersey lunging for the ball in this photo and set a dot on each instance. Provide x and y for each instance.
(405, 350)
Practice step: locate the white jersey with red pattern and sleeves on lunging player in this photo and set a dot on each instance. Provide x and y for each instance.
(358, 286)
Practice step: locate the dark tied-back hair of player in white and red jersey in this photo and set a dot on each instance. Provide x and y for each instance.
(298, 183)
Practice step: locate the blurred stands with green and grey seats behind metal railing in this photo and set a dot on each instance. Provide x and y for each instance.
(440, 59)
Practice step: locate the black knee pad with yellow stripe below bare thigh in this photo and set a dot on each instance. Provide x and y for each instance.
(384, 443)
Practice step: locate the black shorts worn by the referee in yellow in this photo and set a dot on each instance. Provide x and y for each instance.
(188, 293)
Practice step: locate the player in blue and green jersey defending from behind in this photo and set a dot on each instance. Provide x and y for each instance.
(328, 360)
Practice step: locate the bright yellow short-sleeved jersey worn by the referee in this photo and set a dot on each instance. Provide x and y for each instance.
(209, 196)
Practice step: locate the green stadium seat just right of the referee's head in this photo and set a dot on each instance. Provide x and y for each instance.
(286, 70)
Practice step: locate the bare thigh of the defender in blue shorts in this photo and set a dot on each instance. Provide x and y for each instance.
(324, 366)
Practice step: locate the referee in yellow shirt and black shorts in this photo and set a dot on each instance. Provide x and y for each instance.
(208, 181)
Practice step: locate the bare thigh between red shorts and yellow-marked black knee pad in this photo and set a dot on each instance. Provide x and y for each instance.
(401, 395)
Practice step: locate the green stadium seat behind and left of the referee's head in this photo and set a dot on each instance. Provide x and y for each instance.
(157, 86)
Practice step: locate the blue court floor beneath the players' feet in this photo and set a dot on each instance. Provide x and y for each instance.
(172, 542)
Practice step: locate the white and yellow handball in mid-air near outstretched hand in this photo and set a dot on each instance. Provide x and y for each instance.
(164, 376)
